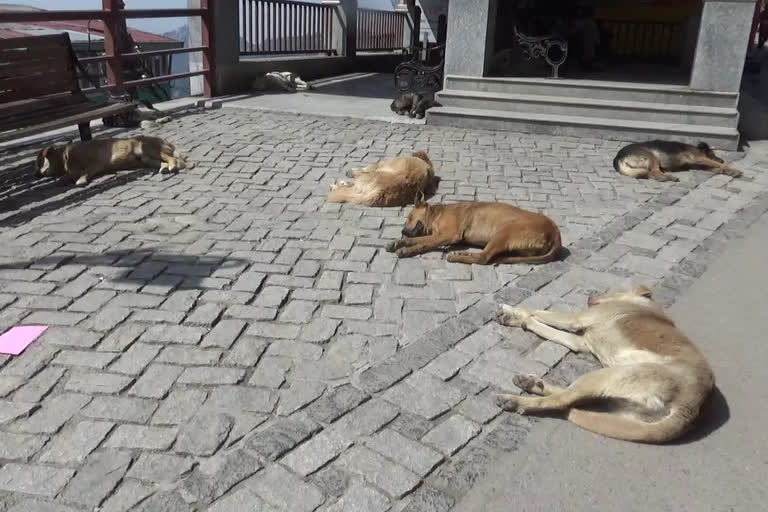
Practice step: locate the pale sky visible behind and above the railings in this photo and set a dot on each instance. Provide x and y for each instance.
(158, 25)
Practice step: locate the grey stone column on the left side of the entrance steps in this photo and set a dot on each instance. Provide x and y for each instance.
(469, 47)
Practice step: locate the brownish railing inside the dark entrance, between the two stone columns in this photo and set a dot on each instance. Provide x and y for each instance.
(648, 40)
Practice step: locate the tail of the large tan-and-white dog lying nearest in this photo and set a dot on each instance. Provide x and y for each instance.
(628, 428)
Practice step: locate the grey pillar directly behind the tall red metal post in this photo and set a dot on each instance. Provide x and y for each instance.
(226, 32)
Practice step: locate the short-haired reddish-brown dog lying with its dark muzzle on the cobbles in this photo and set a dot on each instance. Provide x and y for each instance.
(501, 228)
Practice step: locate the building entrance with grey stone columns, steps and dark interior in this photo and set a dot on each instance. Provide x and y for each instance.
(631, 69)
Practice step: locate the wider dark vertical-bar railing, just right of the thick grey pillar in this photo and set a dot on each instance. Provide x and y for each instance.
(273, 27)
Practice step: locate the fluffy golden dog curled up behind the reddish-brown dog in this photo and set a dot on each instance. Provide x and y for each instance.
(389, 183)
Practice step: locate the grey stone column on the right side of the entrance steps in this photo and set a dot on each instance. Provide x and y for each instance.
(722, 45)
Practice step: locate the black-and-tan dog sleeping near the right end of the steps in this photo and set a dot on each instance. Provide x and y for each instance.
(653, 159)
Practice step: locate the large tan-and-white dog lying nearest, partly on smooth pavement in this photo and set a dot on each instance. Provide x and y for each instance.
(652, 371)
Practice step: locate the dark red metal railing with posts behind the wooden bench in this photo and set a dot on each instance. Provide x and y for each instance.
(112, 15)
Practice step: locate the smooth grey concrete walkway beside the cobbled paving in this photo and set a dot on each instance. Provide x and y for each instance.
(722, 467)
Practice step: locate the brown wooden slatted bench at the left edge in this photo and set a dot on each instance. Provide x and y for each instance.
(39, 89)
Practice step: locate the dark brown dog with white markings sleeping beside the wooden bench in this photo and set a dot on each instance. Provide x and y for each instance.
(82, 161)
